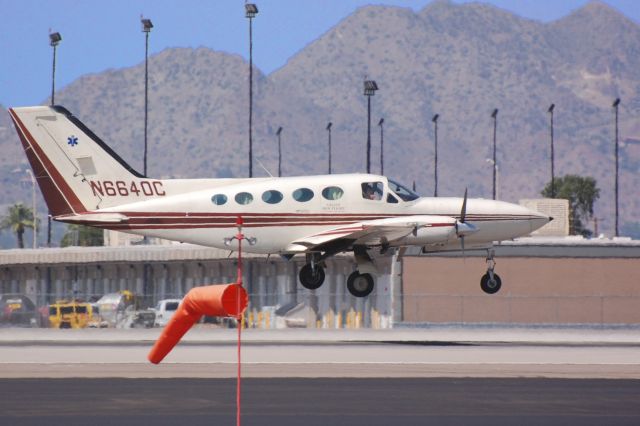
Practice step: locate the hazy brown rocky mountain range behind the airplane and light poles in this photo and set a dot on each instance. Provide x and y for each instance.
(458, 61)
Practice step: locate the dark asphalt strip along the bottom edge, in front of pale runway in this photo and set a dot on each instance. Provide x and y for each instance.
(295, 401)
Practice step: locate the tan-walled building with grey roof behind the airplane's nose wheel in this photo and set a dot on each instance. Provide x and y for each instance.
(541, 284)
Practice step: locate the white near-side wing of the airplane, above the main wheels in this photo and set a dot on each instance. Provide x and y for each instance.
(367, 233)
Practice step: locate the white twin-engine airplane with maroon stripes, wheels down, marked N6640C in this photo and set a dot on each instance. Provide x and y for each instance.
(84, 182)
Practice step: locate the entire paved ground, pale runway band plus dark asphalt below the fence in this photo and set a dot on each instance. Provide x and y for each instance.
(443, 376)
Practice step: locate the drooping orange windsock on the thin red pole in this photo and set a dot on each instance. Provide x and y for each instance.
(228, 300)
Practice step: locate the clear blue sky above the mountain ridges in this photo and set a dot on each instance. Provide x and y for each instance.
(98, 35)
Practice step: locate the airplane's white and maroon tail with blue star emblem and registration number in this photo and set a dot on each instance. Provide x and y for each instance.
(76, 171)
